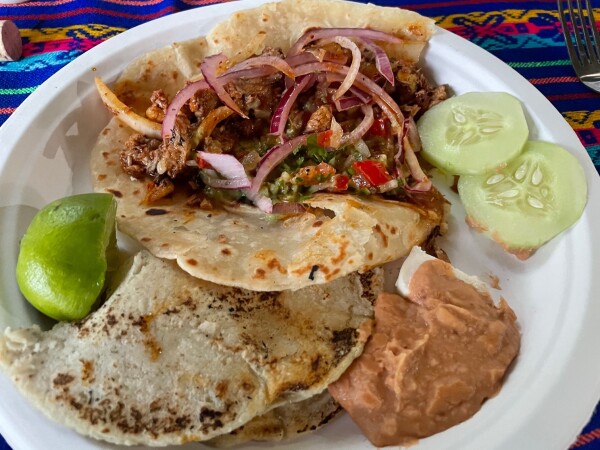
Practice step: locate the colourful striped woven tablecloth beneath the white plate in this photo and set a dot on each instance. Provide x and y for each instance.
(524, 34)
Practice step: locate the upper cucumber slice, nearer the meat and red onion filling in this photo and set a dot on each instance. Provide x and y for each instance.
(473, 133)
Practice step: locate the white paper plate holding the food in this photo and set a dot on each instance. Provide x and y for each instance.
(555, 383)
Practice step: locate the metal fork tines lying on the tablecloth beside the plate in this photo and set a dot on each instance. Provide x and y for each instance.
(583, 43)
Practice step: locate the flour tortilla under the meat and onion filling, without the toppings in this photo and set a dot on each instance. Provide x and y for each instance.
(338, 234)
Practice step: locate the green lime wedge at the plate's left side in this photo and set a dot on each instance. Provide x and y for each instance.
(62, 262)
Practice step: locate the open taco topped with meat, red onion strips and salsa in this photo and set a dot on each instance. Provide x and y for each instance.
(275, 153)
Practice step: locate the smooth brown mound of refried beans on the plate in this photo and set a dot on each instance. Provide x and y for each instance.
(431, 361)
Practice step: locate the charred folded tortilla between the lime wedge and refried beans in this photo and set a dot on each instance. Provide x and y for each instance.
(170, 358)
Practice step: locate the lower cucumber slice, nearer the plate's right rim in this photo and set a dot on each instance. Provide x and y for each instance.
(538, 195)
